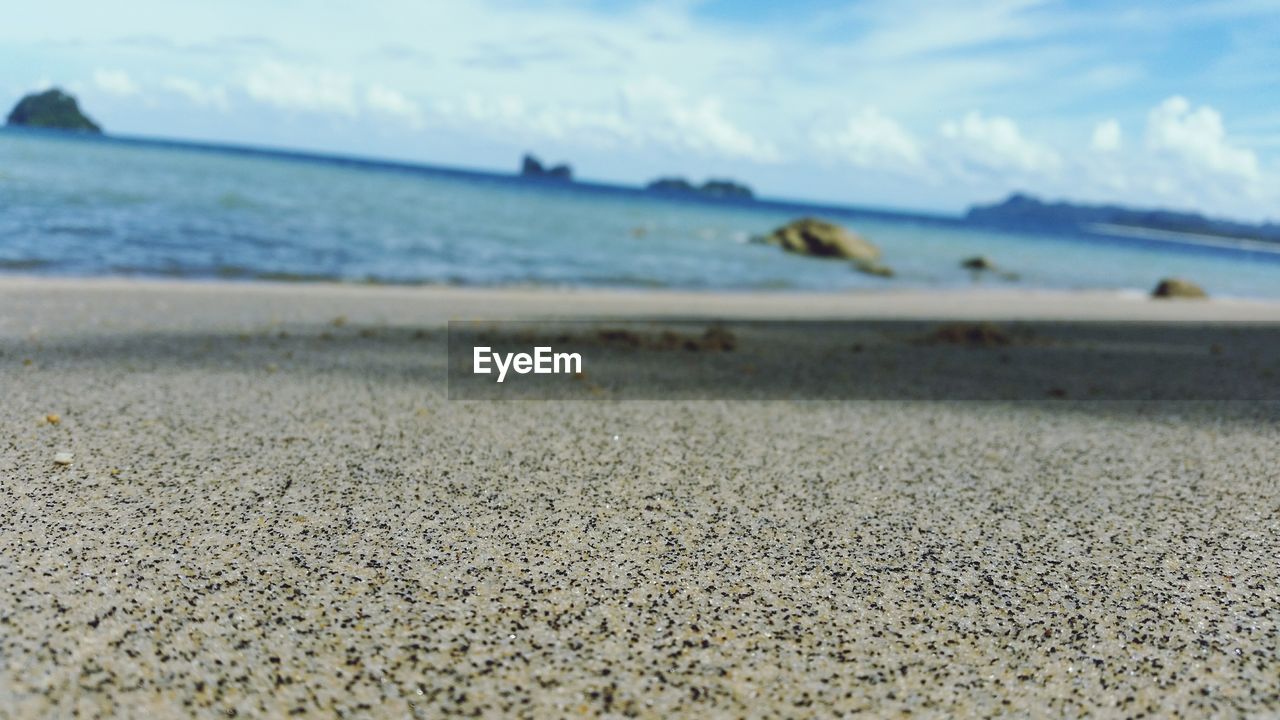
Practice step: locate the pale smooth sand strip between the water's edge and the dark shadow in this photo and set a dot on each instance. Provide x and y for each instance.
(445, 303)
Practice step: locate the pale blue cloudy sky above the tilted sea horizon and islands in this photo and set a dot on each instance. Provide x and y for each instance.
(909, 104)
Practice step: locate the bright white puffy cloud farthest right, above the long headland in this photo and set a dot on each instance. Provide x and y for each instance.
(1197, 136)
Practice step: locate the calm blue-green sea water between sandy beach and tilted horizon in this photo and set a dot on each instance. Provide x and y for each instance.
(107, 208)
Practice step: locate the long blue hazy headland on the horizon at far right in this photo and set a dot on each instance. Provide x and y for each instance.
(1022, 211)
